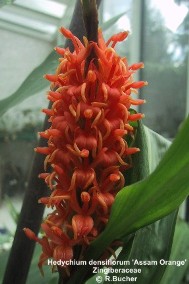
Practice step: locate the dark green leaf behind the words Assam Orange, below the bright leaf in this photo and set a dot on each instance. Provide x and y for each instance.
(151, 243)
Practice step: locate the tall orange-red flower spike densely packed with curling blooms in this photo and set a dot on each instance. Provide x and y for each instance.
(90, 116)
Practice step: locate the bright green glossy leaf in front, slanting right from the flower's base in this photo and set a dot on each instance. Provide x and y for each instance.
(149, 200)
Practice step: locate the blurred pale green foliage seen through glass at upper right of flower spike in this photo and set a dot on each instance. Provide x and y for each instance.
(165, 53)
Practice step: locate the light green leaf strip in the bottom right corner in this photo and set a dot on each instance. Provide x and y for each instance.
(180, 252)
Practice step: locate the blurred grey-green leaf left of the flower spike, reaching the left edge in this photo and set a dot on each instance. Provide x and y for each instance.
(33, 83)
